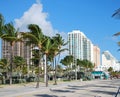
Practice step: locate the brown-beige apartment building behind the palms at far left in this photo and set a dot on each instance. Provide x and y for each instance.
(20, 49)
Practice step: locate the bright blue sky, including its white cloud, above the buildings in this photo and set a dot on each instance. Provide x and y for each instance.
(92, 17)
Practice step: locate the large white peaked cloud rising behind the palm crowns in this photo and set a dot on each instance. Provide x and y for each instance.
(35, 15)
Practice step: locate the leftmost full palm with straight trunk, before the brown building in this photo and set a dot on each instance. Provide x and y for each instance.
(10, 35)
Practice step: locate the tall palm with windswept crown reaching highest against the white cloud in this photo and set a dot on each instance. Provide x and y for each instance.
(36, 38)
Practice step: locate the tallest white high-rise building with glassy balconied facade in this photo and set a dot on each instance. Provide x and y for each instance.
(80, 46)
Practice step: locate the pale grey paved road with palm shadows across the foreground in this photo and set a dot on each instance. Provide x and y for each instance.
(95, 88)
